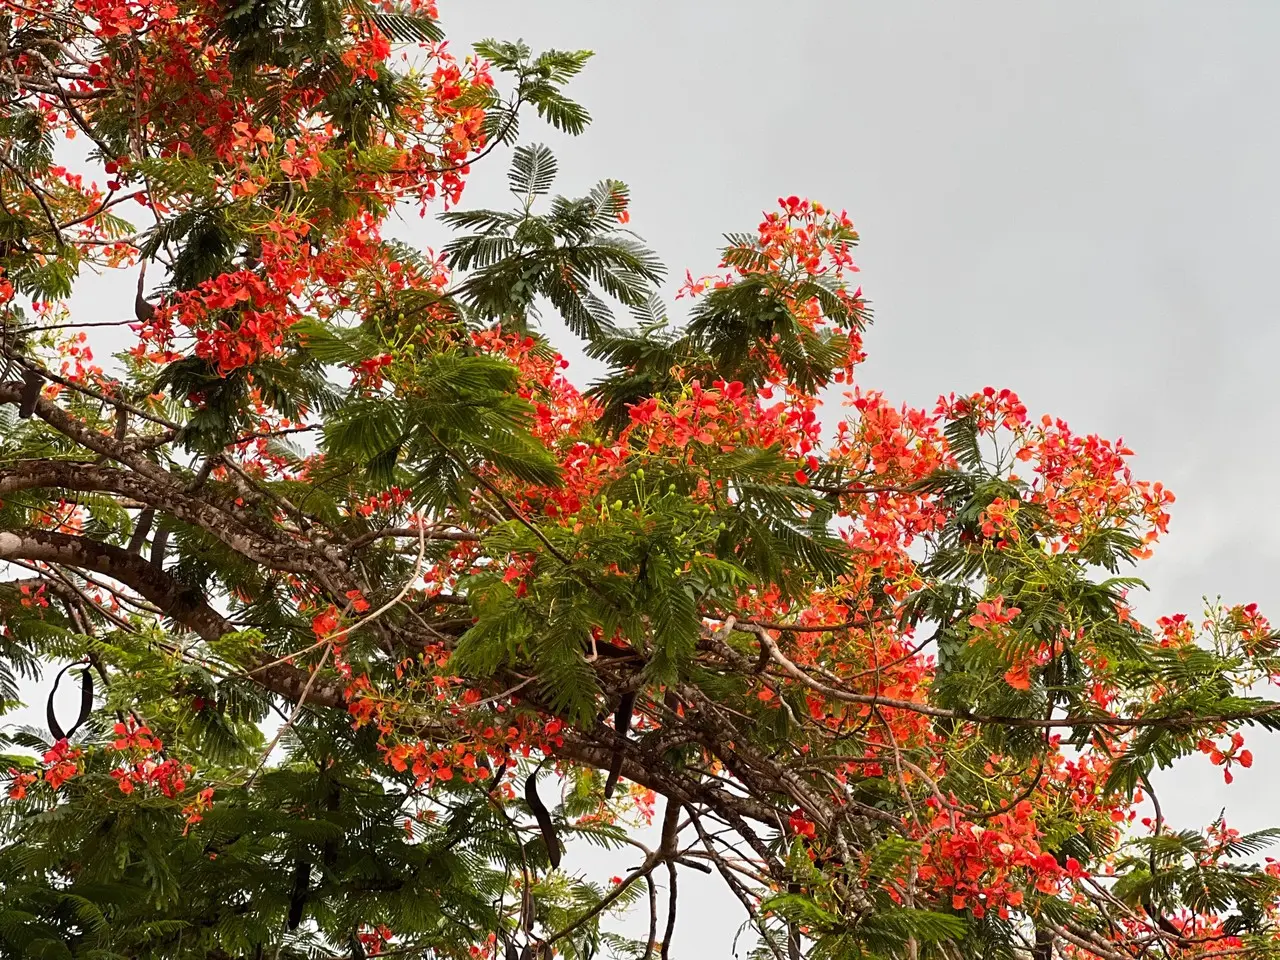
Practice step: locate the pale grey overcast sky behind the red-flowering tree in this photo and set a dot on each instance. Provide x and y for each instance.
(1075, 200)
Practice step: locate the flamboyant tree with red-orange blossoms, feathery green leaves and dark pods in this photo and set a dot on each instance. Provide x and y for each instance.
(373, 611)
